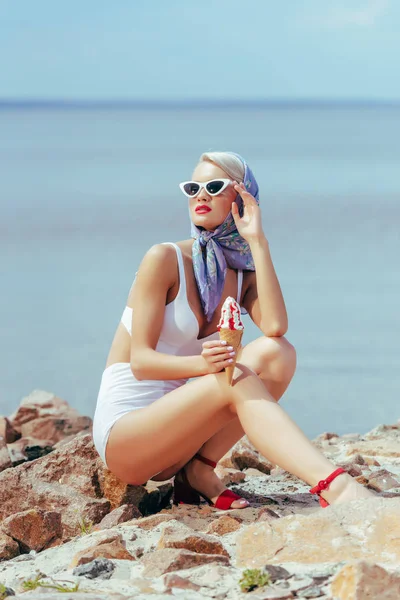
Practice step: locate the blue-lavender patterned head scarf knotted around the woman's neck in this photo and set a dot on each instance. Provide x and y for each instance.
(214, 251)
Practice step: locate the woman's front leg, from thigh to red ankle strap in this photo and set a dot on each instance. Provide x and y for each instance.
(170, 430)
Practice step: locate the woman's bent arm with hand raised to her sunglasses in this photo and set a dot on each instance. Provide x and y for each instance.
(263, 299)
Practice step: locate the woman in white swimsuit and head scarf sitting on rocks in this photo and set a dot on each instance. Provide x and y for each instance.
(150, 422)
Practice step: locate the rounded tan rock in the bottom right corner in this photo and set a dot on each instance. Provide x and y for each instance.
(362, 580)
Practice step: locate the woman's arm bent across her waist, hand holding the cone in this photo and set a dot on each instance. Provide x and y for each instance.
(155, 277)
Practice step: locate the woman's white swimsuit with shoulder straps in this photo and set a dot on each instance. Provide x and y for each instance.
(120, 392)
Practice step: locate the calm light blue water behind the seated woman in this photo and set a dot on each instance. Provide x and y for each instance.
(84, 193)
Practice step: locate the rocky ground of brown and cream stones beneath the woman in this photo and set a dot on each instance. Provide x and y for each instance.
(66, 523)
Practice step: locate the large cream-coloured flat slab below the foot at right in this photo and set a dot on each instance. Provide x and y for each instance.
(367, 529)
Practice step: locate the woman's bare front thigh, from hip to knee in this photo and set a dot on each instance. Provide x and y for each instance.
(170, 430)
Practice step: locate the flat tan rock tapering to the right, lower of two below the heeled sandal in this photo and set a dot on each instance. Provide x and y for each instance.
(170, 559)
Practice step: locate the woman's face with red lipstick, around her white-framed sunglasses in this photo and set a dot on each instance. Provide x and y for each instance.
(219, 206)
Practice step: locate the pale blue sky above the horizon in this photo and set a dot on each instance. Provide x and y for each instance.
(199, 49)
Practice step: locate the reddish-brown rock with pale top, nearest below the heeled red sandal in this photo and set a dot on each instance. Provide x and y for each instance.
(178, 535)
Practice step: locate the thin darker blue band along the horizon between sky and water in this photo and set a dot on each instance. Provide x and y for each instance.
(194, 103)
